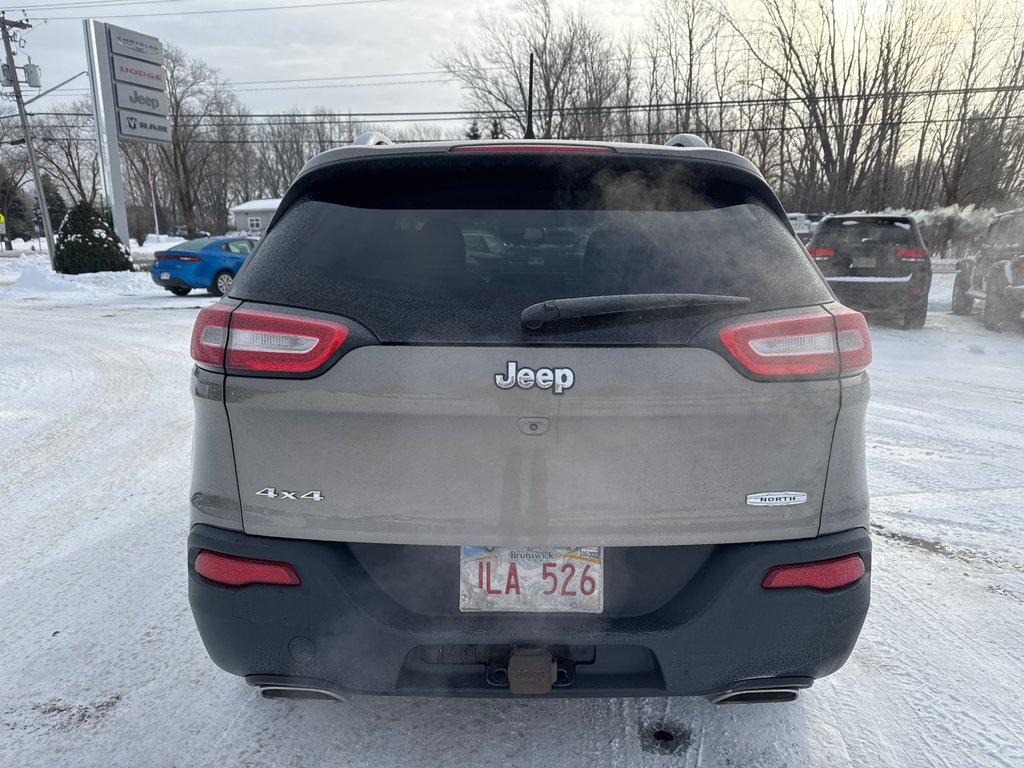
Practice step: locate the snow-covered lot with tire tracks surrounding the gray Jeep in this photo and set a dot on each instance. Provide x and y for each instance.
(103, 666)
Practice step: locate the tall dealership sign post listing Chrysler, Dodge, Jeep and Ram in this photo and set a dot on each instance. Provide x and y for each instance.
(130, 101)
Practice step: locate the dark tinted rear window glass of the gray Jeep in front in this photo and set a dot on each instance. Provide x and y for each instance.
(434, 255)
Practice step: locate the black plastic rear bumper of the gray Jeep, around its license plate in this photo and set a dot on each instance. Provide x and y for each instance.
(342, 631)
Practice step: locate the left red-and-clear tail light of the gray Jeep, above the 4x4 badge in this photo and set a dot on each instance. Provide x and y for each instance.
(259, 342)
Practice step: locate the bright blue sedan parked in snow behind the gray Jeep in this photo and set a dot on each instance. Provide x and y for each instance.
(207, 263)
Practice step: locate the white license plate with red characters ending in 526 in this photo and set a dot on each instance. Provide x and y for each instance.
(538, 580)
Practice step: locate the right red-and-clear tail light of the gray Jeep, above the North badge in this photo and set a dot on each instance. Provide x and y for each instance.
(817, 345)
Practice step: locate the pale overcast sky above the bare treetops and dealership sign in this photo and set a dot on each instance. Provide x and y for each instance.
(381, 37)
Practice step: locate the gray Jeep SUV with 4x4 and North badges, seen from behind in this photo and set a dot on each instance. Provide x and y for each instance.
(624, 455)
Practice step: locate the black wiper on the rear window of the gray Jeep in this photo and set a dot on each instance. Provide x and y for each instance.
(536, 317)
